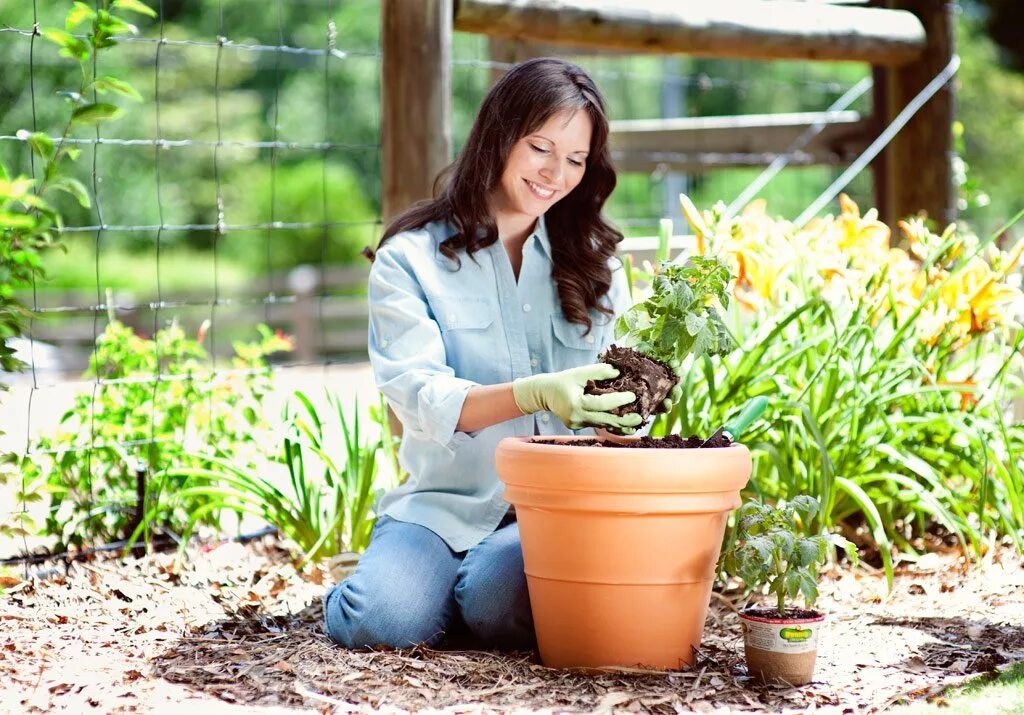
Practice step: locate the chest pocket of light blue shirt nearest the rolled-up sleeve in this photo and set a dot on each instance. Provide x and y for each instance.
(468, 330)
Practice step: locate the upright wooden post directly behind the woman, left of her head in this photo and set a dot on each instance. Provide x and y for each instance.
(416, 91)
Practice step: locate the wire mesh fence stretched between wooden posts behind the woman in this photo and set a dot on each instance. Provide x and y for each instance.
(242, 188)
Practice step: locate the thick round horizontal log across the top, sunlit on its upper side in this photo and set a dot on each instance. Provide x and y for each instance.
(747, 29)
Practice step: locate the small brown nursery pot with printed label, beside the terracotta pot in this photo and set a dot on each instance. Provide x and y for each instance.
(781, 650)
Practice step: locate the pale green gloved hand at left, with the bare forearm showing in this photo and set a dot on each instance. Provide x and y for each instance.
(563, 394)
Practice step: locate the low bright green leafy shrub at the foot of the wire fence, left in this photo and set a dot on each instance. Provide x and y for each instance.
(154, 402)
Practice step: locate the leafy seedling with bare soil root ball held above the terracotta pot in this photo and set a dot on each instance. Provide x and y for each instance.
(654, 338)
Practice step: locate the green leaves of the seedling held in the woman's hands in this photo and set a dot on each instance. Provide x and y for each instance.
(678, 319)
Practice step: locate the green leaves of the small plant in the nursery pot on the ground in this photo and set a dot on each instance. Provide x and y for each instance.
(774, 551)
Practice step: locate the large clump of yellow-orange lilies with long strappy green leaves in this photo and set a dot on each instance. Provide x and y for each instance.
(888, 409)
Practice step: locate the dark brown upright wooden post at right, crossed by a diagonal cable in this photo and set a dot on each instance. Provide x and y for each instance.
(915, 173)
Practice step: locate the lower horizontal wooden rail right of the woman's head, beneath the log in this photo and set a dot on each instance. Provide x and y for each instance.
(696, 144)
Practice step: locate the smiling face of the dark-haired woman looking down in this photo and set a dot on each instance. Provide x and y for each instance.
(546, 165)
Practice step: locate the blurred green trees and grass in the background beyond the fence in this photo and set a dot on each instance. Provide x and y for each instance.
(197, 92)
